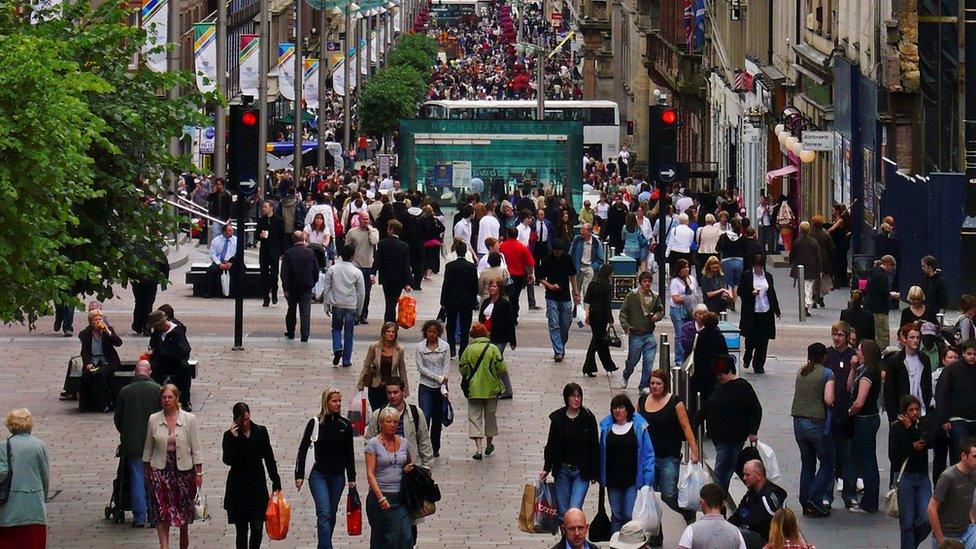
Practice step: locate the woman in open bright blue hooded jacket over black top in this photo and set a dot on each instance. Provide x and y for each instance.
(626, 458)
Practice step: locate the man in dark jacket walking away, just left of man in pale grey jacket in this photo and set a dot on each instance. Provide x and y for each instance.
(299, 273)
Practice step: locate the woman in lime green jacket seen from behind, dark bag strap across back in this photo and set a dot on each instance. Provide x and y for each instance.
(482, 365)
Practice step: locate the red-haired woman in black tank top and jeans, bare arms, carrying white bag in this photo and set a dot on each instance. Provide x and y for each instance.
(668, 425)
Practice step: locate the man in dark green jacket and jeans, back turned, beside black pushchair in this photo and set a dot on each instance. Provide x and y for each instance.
(136, 402)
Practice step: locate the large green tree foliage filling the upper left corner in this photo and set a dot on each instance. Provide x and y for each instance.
(83, 144)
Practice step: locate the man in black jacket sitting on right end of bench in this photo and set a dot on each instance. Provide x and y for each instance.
(169, 355)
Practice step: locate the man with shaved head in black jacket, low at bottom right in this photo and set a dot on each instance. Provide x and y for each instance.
(756, 510)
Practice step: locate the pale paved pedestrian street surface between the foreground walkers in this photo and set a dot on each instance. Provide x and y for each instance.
(282, 381)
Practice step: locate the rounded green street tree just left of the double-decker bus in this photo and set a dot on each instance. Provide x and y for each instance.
(391, 94)
